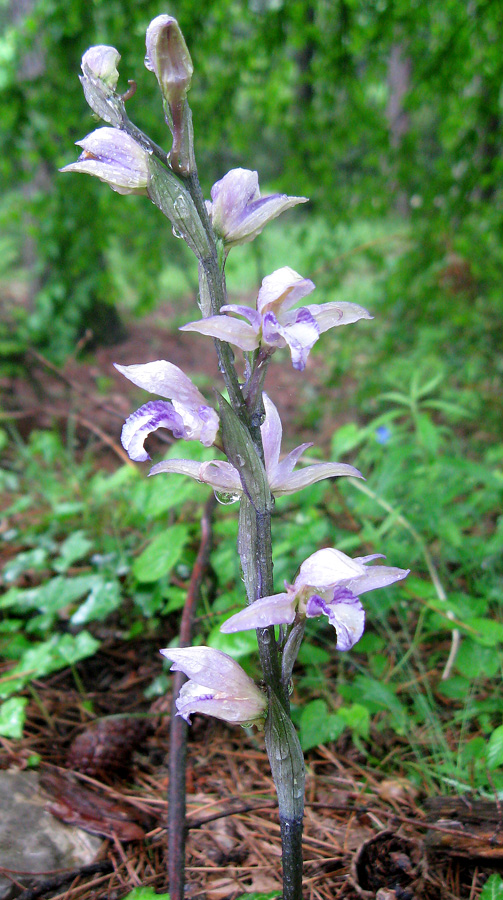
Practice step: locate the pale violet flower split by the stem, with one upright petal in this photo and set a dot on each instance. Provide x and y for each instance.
(222, 476)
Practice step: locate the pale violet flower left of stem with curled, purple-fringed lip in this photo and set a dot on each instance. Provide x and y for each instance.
(187, 416)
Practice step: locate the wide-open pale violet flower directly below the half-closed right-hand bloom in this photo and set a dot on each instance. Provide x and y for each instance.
(274, 324)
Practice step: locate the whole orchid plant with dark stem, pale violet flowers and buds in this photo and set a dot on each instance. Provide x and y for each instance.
(246, 429)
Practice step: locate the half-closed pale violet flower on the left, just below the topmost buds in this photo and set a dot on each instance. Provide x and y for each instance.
(115, 158)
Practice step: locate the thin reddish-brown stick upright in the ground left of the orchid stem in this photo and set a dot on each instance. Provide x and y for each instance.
(177, 828)
